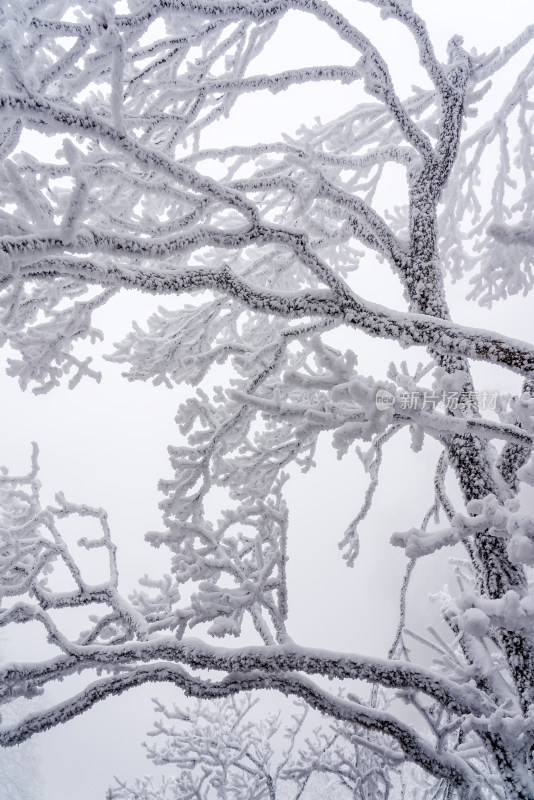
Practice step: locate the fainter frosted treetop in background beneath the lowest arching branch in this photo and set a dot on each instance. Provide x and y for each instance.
(225, 749)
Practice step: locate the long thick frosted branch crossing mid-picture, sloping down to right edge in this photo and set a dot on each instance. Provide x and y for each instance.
(442, 335)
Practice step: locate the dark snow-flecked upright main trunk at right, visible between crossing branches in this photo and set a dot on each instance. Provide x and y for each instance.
(468, 455)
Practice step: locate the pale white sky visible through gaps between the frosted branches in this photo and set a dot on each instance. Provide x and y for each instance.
(105, 445)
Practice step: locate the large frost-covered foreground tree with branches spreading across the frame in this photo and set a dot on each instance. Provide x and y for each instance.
(268, 238)
